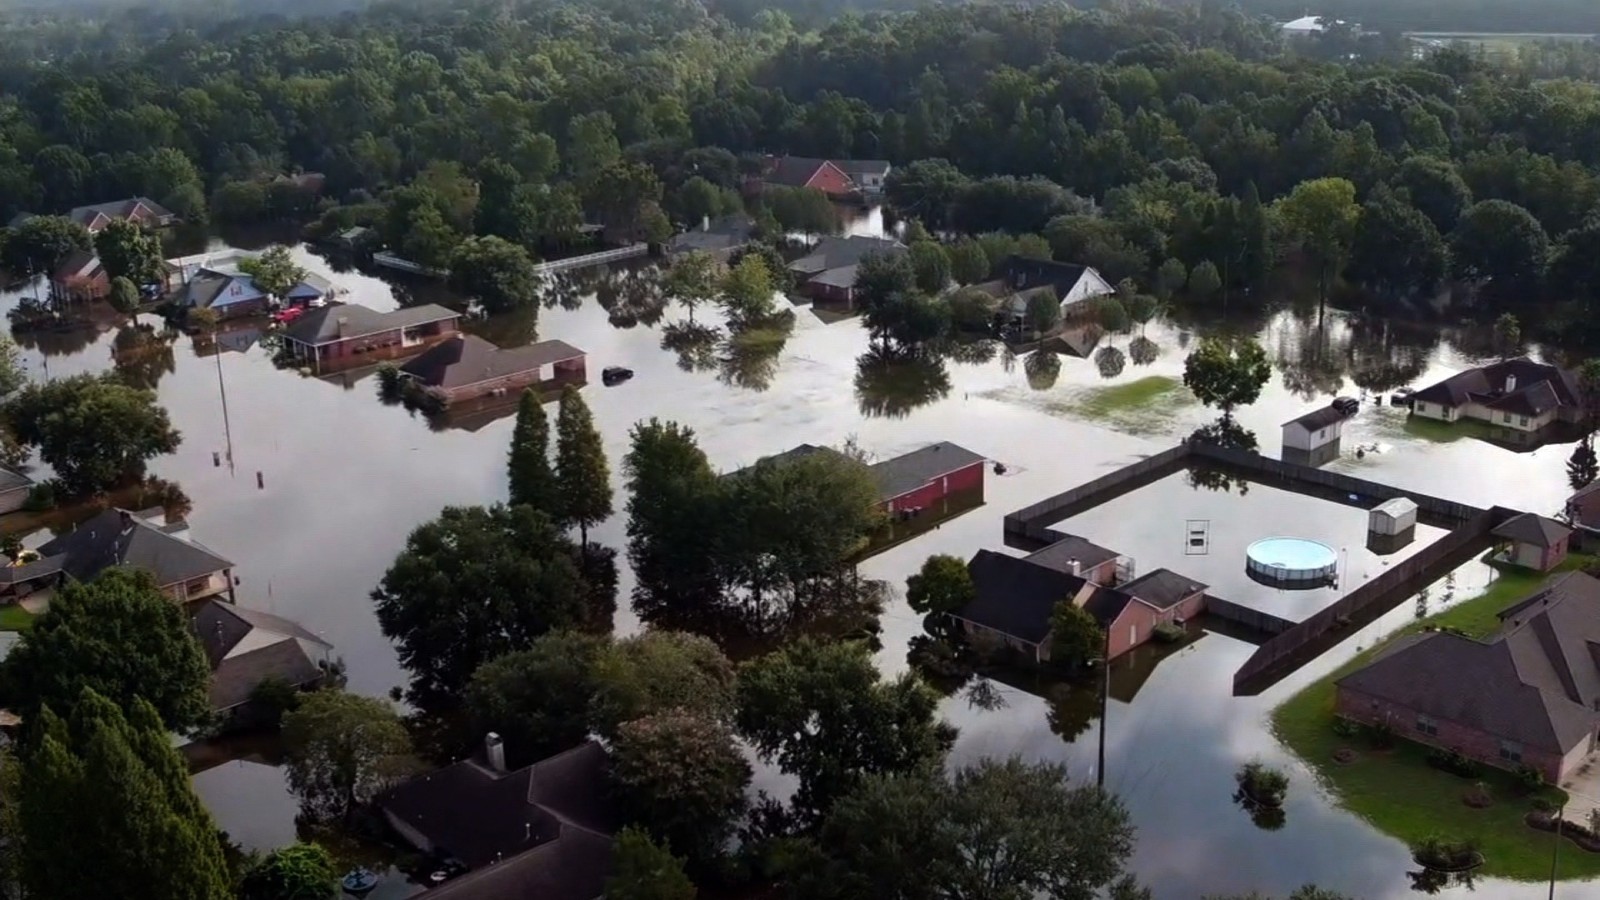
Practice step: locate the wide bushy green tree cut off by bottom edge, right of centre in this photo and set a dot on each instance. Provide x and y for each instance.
(1001, 829)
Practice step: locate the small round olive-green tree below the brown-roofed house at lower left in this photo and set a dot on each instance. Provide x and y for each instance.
(342, 750)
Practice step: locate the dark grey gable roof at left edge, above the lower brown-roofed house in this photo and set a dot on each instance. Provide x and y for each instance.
(119, 537)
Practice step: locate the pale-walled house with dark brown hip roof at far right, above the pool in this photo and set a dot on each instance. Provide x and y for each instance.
(1518, 395)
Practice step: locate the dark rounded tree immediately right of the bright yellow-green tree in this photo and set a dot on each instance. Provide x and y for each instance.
(1398, 251)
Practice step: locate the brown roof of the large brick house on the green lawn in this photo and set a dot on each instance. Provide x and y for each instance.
(1537, 681)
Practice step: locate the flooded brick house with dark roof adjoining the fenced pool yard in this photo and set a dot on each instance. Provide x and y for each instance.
(1017, 597)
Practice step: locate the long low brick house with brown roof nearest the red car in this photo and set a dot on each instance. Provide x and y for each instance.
(348, 334)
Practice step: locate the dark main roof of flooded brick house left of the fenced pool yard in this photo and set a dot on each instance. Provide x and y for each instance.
(1015, 597)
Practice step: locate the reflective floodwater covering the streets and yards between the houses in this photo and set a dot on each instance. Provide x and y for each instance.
(346, 478)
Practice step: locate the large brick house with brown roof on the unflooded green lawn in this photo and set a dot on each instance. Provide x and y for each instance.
(1527, 696)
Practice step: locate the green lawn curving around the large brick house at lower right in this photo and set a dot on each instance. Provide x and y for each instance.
(1407, 798)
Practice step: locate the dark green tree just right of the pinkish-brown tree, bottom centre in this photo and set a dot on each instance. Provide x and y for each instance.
(823, 715)
